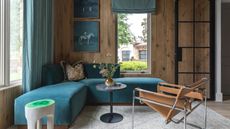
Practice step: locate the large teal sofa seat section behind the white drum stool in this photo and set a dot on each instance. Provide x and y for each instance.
(69, 99)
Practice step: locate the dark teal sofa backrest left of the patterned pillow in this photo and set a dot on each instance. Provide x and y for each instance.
(52, 74)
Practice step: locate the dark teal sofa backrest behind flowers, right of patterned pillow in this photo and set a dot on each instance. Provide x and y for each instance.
(92, 72)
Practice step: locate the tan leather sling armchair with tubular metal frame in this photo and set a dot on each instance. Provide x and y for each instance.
(171, 99)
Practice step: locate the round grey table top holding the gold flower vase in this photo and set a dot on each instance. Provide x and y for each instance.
(117, 86)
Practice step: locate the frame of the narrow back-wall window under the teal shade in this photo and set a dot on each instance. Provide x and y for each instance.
(149, 46)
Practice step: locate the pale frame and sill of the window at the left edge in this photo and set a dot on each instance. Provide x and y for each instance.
(5, 44)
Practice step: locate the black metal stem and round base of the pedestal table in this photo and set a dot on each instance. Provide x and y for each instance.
(111, 117)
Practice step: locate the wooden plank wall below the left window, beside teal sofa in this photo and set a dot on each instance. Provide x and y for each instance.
(7, 97)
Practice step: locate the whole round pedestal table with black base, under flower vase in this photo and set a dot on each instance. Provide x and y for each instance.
(111, 117)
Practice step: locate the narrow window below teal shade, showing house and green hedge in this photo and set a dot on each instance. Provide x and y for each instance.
(133, 39)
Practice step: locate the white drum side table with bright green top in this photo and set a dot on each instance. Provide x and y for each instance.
(38, 109)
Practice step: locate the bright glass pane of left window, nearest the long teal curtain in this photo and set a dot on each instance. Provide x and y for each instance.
(16, 39)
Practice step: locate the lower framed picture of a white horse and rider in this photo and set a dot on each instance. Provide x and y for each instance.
(86, 36)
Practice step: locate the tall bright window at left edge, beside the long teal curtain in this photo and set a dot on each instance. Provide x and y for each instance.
(11, 39)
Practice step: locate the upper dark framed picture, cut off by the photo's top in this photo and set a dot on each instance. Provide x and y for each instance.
(86, 9)
